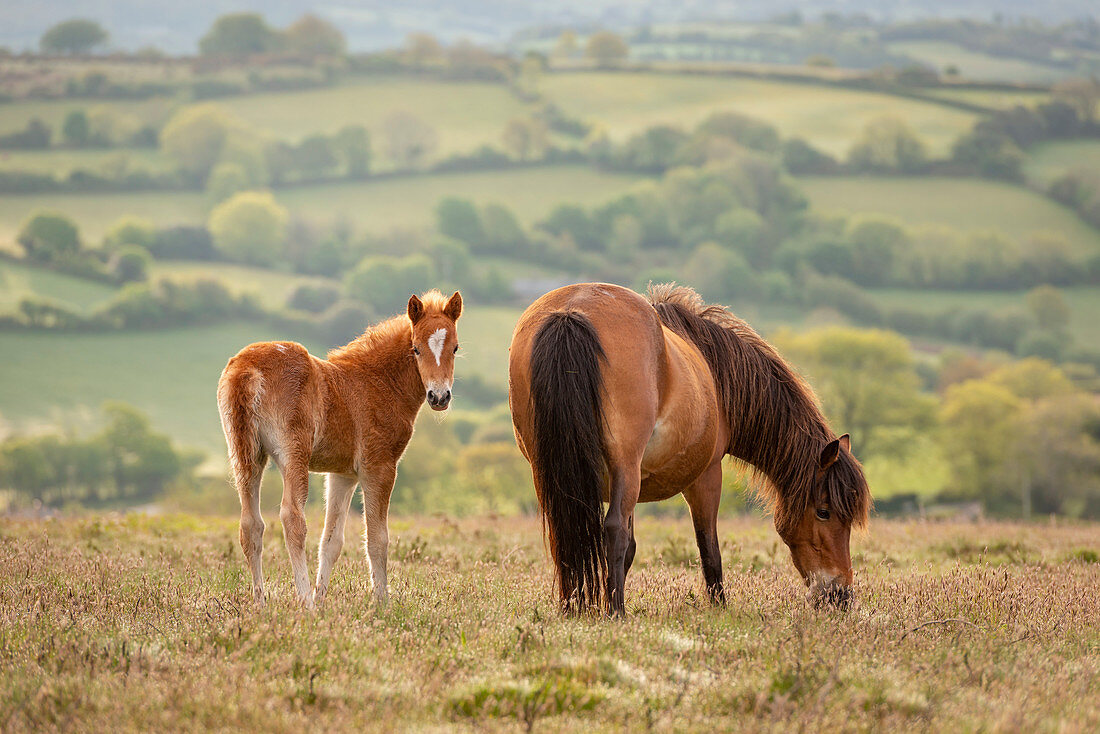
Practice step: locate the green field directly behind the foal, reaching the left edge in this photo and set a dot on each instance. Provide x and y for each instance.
(172, 375)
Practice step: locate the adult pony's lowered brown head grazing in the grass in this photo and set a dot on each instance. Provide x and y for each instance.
(818, 531)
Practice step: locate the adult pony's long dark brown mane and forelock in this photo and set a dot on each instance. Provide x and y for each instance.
(775, 423)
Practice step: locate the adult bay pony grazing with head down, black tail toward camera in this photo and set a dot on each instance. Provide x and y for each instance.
(622, 400)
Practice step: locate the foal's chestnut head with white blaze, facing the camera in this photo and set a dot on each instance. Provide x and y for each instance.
(435, 343)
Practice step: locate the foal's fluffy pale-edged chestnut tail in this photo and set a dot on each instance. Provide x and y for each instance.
(238, 393)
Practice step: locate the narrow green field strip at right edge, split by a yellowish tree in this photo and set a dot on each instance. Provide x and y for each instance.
(1084, 305)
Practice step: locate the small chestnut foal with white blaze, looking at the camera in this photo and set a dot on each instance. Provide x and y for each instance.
(350, 415)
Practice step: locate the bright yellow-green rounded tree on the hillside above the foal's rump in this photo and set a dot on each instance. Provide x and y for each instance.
(250, 227)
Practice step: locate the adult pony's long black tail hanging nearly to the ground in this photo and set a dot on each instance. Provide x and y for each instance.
(569, 452)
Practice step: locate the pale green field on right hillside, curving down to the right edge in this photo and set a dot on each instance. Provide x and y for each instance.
(966, 204)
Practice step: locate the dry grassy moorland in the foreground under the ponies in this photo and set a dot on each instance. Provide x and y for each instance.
(135, 623)
